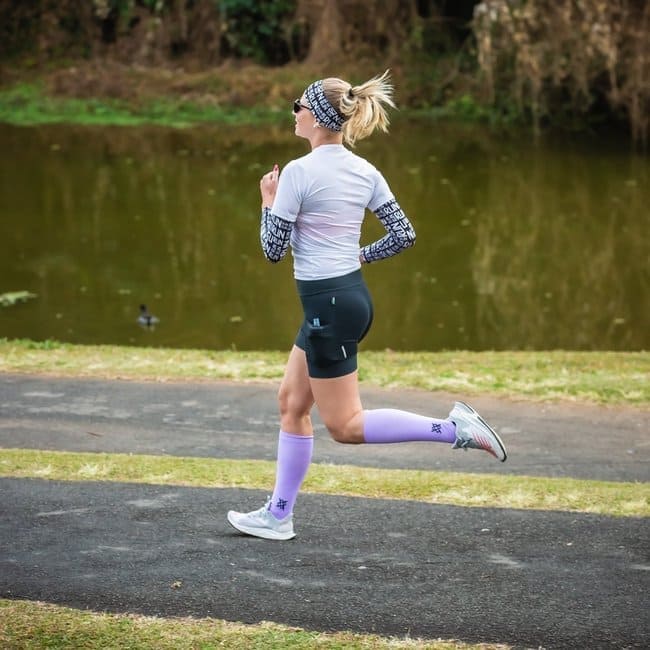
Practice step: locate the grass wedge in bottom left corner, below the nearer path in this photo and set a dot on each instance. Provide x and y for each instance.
(32, 625)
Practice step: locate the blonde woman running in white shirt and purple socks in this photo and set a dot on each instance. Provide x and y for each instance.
(317, 206)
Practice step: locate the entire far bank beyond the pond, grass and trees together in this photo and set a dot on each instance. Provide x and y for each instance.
(488, 60)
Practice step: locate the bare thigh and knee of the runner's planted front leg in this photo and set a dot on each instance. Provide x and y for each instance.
(295, 396)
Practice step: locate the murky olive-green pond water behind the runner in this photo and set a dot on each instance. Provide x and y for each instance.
(520, 245)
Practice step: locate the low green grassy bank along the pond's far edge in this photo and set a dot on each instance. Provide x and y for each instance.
(156, 102)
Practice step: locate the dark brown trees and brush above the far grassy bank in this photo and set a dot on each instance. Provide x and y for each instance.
(567, 61)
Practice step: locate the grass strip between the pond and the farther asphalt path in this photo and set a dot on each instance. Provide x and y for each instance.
(609, 378)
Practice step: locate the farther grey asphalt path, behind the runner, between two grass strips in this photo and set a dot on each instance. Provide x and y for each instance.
(233, 420)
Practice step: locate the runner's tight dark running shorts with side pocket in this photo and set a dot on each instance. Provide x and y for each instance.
(338, 314)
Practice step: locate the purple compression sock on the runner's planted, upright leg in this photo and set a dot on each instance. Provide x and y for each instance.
(294, 456)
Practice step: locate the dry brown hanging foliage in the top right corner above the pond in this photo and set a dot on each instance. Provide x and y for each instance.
(587, 53)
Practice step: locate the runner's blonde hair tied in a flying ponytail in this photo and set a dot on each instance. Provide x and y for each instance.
(362, 106)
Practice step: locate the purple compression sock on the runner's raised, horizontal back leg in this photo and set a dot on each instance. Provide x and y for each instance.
(391, 425)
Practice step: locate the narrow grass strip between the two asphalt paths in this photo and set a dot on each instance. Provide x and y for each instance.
(451, 488)
